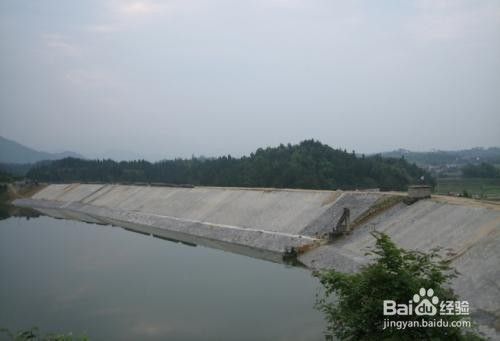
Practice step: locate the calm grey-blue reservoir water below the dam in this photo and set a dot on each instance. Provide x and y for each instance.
(113, 284)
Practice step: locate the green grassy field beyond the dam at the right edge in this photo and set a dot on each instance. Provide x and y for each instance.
(482, 188)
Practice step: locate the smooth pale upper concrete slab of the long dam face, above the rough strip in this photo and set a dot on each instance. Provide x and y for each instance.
(273, 210)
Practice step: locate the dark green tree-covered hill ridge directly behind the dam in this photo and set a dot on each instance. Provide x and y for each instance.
(309, 164)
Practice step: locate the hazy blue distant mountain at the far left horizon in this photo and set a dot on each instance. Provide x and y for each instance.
(13, 152)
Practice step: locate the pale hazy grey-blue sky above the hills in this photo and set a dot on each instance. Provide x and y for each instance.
(170, 78)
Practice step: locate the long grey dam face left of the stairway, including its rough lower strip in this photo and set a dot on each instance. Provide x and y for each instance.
(265, 219)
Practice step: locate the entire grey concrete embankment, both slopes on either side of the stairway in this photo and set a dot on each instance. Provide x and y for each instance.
(265, 223)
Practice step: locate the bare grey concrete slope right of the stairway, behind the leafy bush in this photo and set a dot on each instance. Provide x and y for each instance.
(467, 235)
